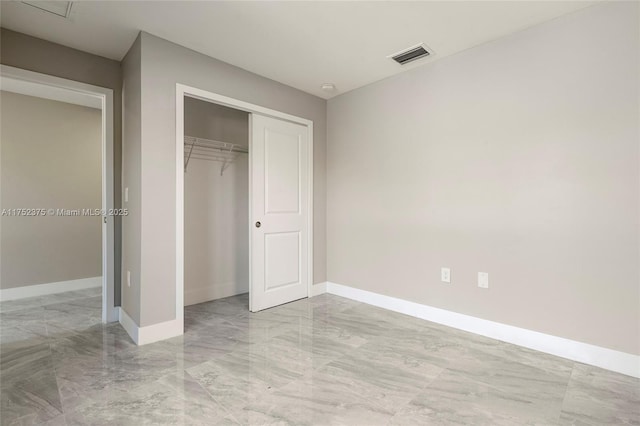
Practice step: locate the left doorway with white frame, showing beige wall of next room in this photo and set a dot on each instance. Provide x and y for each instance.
(57, 174)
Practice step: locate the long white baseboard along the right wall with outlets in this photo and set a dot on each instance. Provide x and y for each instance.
(598, 356)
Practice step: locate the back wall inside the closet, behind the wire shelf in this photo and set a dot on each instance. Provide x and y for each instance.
(216, 208)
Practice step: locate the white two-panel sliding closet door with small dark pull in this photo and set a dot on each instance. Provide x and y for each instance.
(279, 212)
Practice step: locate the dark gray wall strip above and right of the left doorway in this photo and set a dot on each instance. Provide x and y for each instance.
(34, 54)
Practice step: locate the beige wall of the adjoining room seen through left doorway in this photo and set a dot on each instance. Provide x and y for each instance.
(50, 158)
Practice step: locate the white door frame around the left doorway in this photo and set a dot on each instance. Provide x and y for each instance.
(105, 96)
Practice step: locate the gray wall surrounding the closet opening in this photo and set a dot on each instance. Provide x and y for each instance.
(163, 65)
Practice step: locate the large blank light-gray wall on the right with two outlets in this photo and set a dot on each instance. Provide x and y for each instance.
(519, 158)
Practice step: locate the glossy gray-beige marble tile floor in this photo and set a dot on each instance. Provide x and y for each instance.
(319, 361)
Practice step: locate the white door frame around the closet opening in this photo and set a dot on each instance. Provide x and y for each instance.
(183, 90)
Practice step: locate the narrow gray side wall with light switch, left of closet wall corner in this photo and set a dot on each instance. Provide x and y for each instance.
(131, 172)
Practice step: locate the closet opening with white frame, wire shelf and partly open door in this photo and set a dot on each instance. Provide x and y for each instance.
(258, 229)
